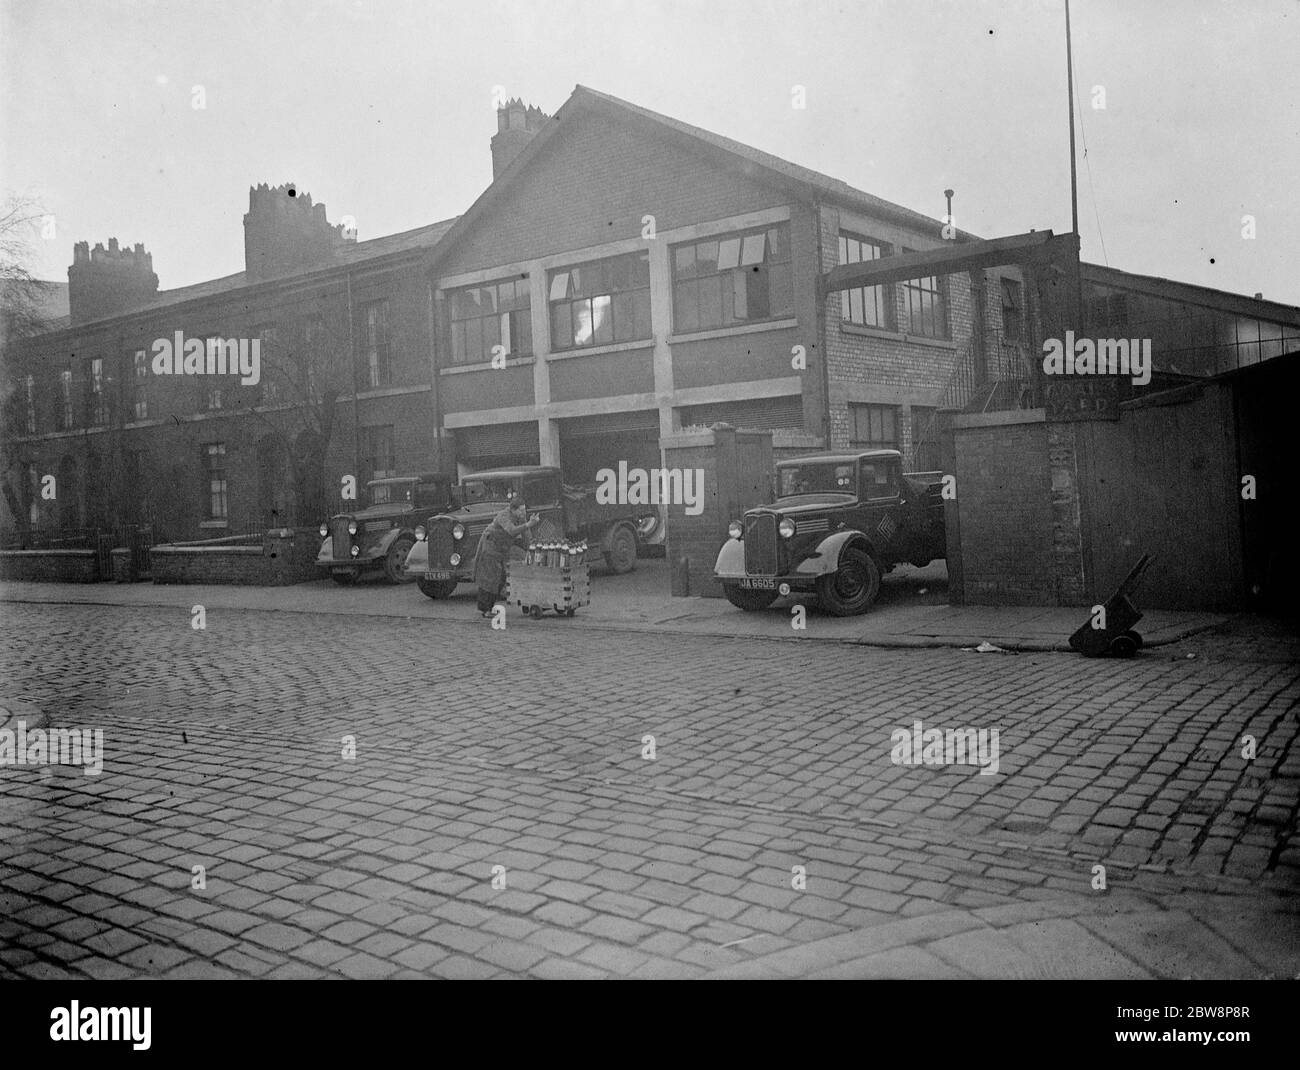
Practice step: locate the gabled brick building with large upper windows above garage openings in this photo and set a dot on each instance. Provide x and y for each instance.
(640, 275)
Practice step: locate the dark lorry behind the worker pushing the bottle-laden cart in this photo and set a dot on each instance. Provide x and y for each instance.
(445, 547)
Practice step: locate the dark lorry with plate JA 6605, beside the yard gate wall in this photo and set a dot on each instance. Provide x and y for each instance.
(839, 523)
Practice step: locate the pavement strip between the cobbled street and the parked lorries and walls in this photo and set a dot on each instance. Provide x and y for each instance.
(912, 613)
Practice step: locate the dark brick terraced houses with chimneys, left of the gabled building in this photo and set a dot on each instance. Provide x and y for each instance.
(343, 387)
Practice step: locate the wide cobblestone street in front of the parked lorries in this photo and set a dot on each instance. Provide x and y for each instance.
(525, 751)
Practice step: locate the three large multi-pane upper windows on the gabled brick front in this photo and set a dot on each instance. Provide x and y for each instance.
(736, 279)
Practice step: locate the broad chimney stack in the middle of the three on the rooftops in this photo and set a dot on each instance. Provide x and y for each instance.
(284, 232)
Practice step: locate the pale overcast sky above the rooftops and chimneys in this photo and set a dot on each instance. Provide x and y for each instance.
(384, 112)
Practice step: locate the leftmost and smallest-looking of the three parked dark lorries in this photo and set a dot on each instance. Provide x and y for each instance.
(382, 535)
